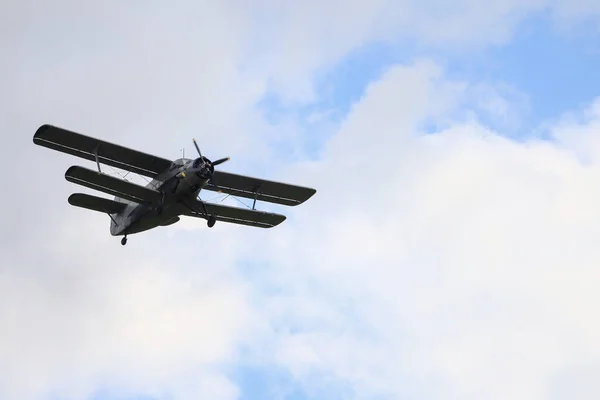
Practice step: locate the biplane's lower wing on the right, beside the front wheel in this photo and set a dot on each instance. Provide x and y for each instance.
(236, 215)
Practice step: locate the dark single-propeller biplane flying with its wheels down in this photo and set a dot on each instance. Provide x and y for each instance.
(173, 190)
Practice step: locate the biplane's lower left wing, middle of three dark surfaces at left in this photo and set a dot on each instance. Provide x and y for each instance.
(111, 185)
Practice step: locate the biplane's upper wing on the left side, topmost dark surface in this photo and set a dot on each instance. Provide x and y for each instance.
(108, 153)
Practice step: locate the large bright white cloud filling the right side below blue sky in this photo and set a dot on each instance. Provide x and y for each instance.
(467, 268)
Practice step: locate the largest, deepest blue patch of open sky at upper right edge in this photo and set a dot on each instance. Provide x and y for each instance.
(556, 71)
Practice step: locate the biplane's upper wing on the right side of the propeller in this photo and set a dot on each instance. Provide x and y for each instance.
(261, 189)
